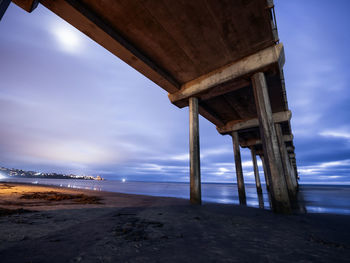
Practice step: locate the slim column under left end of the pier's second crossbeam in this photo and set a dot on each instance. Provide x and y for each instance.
(239, 171)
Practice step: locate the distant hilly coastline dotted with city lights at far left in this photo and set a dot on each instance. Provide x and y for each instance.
(19, 173)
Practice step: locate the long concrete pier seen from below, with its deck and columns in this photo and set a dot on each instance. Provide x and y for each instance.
(222, 59)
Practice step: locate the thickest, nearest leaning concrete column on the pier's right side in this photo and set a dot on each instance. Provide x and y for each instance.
(278, 188)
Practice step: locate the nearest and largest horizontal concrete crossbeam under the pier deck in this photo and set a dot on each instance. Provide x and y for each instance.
(270, 57)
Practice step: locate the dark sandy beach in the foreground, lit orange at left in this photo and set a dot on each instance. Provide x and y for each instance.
(112, 227)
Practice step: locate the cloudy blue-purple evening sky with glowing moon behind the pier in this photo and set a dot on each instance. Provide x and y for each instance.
(69, 106)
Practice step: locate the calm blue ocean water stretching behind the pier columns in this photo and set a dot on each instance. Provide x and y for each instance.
(315, 198)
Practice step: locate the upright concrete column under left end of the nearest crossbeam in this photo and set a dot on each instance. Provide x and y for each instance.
(195, 175)
